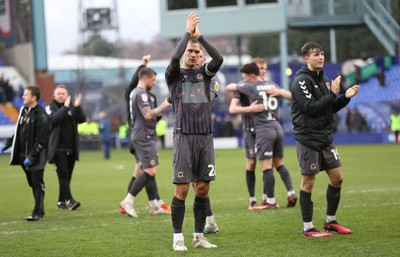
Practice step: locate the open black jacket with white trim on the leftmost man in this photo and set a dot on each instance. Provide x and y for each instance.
(37, 136)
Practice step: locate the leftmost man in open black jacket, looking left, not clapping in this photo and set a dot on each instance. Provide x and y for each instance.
(29, 144)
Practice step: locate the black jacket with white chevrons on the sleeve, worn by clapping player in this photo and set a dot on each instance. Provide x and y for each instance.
(313, 106)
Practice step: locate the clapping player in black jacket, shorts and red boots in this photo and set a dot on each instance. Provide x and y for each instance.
(314, 102)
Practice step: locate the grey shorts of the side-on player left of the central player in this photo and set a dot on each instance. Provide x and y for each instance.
(146, 152)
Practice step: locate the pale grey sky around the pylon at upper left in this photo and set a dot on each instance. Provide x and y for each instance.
(138, 21)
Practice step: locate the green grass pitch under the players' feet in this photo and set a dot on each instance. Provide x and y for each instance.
(369, 206)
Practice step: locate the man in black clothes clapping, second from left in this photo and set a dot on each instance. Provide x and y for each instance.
(64, 142)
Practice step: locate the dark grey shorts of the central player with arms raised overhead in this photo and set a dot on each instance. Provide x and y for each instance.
(193, 158)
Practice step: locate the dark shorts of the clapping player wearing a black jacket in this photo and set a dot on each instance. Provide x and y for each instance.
(312, 161)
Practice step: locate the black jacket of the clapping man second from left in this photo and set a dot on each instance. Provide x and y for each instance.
(57, 114)
